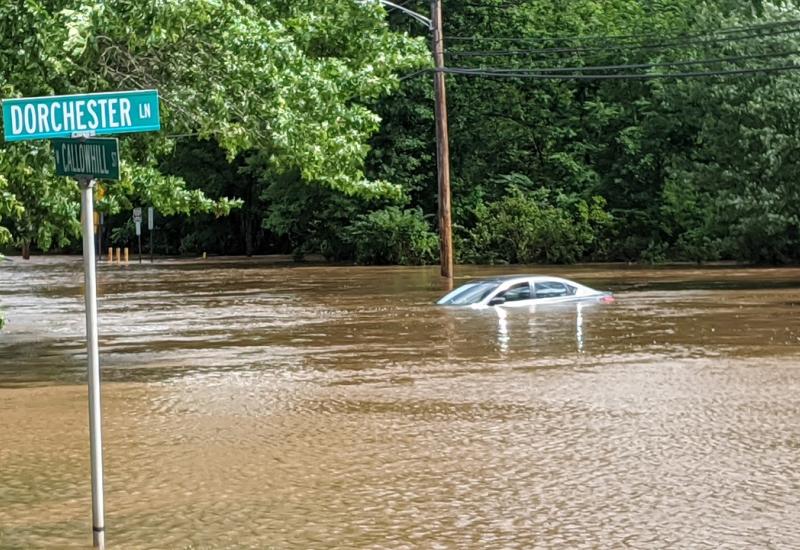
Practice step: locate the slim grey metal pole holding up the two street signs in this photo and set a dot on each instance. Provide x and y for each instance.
(93, 363)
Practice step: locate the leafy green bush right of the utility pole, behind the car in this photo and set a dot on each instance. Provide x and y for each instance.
(530, 227)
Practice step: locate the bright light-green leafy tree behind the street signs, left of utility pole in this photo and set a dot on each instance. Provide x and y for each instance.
(288, 77)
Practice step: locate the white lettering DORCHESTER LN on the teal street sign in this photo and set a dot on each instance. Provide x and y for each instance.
(73, 115)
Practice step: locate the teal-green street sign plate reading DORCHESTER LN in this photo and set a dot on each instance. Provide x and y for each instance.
(85, 114)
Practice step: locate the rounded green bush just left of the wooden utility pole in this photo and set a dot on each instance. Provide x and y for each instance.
(393, 236)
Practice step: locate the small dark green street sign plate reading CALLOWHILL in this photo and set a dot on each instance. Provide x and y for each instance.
(90, 158)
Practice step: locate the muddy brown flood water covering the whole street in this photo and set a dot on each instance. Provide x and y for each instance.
(254, 405)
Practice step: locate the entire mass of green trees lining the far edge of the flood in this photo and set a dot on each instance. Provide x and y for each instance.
(642, 130)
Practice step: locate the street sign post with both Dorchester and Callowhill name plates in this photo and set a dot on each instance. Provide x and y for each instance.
(84, 116)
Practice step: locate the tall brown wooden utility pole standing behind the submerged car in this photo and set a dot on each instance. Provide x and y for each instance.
(442, 146)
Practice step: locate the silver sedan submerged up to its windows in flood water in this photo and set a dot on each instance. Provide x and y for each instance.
(521, 290)
